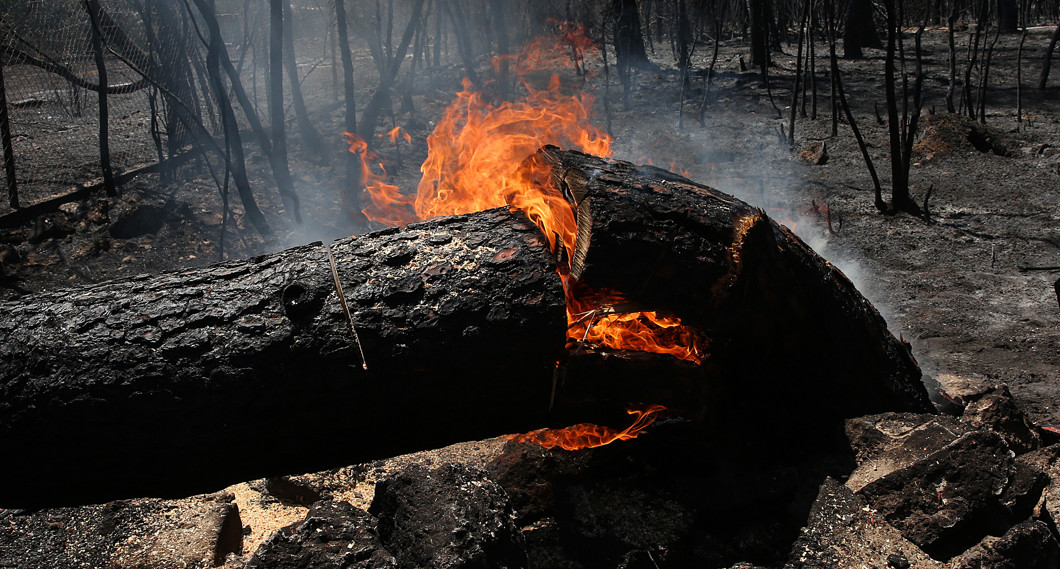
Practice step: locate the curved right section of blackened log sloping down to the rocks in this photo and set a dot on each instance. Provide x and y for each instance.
(788, 331)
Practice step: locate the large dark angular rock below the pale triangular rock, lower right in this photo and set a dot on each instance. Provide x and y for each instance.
(949, 501)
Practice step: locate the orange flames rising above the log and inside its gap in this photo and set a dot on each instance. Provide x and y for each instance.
(478, 159)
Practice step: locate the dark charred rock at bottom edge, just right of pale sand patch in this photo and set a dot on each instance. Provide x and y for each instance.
(334, 535)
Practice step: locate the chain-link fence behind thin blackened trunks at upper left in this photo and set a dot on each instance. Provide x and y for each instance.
(155, 58)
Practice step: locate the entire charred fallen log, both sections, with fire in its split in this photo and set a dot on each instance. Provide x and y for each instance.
(447, 331)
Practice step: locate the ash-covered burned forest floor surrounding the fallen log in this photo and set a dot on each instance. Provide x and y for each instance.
(969, 284)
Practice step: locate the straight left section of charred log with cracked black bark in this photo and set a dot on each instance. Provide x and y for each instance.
(192, 381)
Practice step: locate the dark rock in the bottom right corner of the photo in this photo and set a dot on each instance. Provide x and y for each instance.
(1027, 546)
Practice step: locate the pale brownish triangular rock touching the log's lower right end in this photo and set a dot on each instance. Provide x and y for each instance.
(890, 442)
